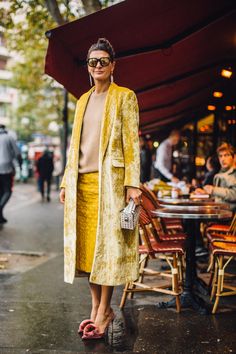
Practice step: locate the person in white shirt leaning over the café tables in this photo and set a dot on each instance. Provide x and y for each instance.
(164, 159)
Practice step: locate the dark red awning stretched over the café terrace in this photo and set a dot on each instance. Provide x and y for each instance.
(169, 52)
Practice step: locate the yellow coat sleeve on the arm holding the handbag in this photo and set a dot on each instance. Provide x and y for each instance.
(130, 140)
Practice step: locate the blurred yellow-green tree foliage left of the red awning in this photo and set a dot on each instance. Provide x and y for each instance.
(40, 100)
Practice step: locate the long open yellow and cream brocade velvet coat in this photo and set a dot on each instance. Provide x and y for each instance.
(116, 250)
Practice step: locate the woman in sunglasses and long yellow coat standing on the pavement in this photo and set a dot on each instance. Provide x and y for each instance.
(102, 174)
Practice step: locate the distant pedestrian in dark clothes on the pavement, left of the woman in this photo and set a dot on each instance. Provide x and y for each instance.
(45, 170)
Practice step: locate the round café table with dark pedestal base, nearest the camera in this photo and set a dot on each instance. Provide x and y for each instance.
(190, 214)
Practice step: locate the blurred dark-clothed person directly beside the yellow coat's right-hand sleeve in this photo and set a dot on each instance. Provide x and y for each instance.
(145, 160)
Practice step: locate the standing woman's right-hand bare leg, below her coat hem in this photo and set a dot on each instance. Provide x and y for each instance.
(105, 312)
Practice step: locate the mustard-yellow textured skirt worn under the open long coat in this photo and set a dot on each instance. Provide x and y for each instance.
(87, 213)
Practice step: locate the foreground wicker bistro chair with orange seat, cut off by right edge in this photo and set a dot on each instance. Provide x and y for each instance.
(223, 253)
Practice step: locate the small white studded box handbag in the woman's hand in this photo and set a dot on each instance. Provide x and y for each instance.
(129, 216)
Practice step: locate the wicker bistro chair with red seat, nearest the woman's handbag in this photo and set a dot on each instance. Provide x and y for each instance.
(149, 248)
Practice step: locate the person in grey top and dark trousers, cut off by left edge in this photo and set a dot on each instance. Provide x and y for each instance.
(8, 152)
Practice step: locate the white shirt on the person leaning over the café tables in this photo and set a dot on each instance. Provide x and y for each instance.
(163, 161)
